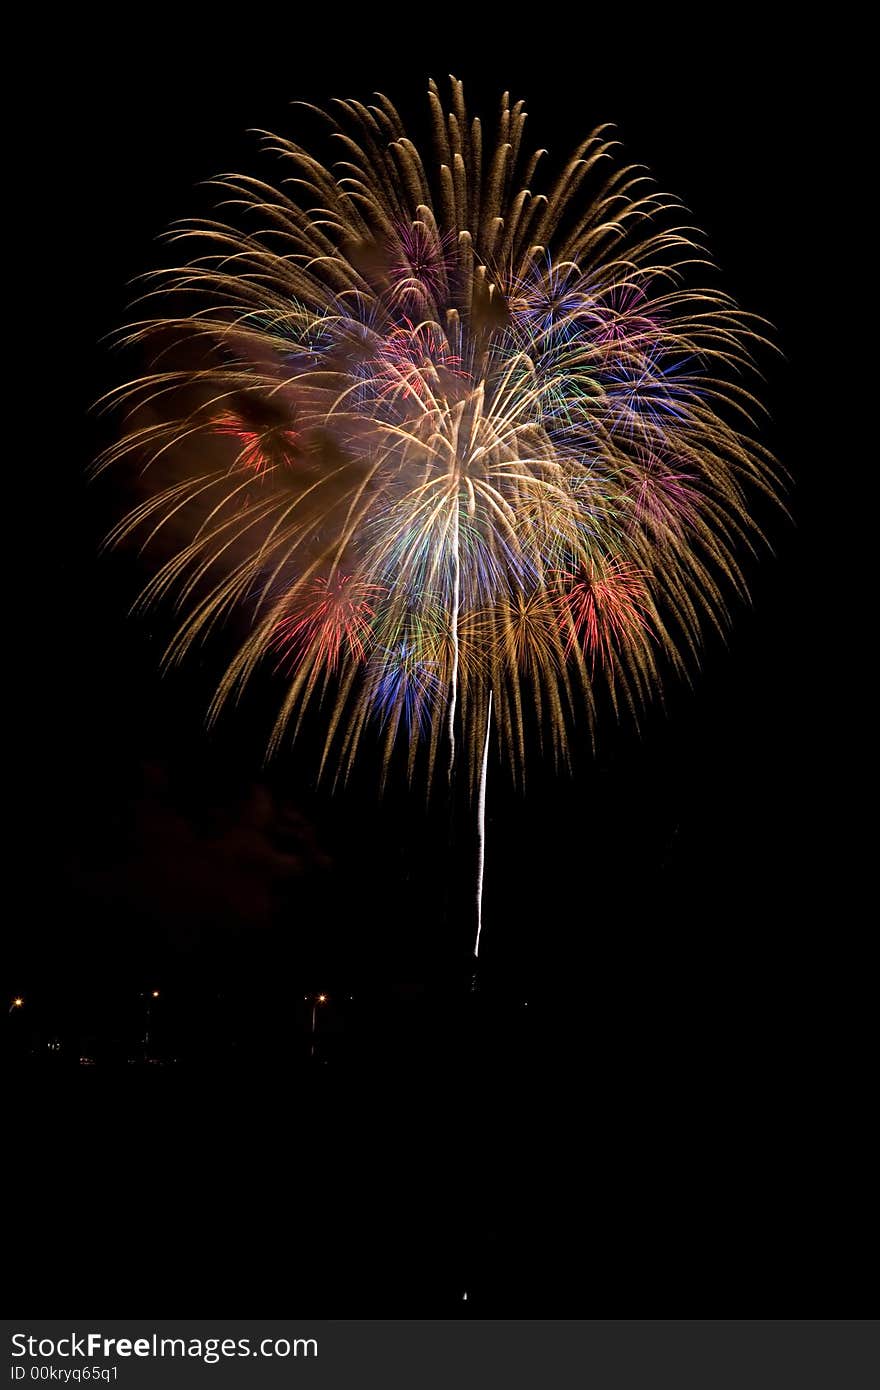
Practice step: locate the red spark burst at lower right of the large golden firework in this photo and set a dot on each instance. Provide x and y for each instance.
(604, 610)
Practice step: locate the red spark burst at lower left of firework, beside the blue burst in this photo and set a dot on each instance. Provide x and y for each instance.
(333, 619)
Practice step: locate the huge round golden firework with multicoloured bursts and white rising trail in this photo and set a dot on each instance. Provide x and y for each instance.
(433, 440)
